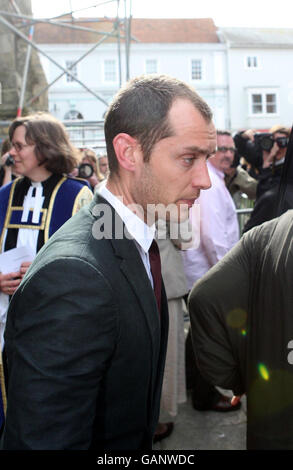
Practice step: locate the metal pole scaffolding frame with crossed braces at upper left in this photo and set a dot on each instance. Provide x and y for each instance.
(28, 21)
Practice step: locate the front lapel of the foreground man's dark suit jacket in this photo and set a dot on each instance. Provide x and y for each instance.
(134, 271)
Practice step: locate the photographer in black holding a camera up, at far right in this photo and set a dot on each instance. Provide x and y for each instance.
(269, 179)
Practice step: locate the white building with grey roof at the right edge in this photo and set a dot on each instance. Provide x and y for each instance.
(260, 77)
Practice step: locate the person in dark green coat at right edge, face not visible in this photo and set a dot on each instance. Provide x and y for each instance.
(242, 327)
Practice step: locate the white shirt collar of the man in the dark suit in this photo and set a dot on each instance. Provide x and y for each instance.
(137, 228)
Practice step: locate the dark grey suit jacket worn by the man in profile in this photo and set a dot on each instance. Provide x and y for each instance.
(85, 344)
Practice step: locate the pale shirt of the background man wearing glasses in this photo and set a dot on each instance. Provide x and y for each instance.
(219, 228)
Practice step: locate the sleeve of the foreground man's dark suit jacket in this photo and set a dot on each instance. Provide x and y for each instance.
(61, 333)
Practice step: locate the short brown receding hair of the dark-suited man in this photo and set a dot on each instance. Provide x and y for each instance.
(140, 109)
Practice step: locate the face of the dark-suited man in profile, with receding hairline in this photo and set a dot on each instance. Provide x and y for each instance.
(176, 170)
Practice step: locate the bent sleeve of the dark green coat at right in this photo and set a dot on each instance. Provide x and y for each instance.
(218, 306)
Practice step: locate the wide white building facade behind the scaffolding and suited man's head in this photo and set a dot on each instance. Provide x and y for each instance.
(201, 64)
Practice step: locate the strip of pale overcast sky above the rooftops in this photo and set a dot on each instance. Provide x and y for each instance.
(248, 13)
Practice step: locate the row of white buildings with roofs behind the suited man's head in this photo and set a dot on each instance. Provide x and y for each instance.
(245, 75)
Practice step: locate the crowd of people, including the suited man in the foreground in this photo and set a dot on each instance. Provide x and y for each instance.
(94, 344)
